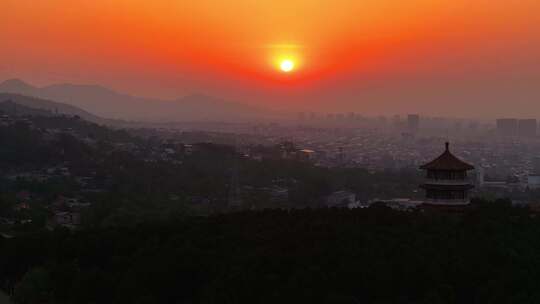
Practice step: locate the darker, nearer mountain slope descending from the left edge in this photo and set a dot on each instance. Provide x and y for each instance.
(15, 104)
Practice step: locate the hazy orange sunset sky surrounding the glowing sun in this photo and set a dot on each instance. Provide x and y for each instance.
(453, 57)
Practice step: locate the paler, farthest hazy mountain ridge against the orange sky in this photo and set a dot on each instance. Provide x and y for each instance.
(108, 103)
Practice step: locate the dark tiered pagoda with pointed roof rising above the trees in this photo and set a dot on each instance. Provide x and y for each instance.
(446, 182)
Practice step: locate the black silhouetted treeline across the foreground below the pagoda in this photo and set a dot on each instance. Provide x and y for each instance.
(488, 254)
